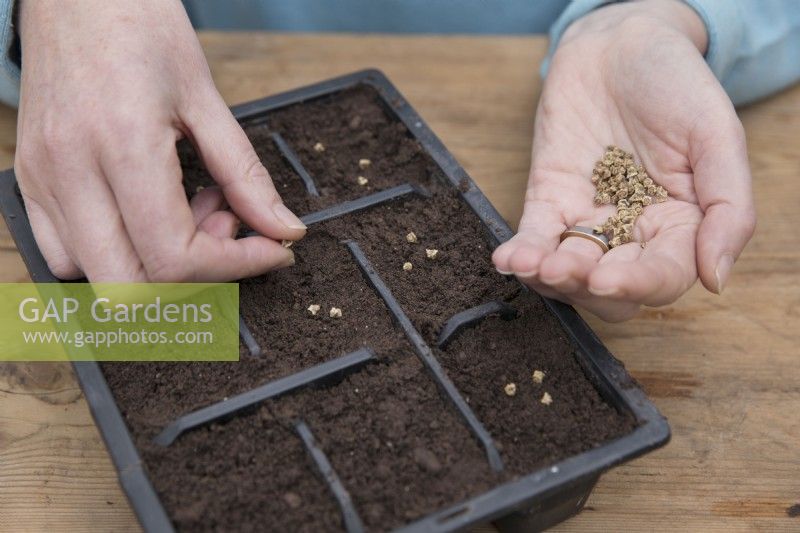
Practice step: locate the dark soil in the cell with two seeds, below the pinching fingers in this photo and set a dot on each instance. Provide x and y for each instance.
(274, 307)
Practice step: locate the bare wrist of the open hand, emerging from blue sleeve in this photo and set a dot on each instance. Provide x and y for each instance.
(674, 16)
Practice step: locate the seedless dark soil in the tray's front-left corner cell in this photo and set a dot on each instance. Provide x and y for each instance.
(251, 474)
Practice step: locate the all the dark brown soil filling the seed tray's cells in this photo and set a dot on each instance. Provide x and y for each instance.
(397, 445)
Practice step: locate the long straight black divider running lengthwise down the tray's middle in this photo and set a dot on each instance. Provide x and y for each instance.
(426, 355)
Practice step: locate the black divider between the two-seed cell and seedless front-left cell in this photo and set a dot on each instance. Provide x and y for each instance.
(322, 372)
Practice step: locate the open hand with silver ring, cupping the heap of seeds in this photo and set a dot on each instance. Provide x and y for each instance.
(651, 94)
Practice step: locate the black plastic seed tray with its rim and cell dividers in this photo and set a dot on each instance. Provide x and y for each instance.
(530, 503)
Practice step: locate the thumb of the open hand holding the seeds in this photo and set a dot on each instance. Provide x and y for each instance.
(724, 192)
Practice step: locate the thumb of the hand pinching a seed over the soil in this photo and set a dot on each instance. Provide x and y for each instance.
(235, 166)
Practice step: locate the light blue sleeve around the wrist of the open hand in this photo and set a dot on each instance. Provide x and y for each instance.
(753, 45)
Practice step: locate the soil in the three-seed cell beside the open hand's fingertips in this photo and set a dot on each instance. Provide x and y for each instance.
(459, 277)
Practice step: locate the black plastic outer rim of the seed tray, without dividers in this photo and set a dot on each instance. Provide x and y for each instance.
(503, 501)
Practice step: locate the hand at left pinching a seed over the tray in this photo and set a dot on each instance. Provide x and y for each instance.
(108, 87)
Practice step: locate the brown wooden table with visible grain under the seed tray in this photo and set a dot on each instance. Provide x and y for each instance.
(725, 370)
